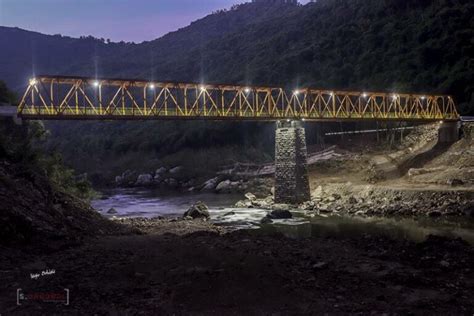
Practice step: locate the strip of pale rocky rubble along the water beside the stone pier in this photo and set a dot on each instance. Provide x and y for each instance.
(370, 200)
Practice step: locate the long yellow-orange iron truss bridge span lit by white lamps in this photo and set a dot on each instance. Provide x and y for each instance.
(66, 98)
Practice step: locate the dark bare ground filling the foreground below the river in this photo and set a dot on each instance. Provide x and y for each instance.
(192, 267)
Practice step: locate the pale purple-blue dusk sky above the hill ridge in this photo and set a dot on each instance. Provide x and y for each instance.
(128, 20)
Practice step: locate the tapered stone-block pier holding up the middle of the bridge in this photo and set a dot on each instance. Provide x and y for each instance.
(291, 167)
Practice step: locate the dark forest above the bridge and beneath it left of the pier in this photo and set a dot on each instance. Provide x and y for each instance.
(393, 45)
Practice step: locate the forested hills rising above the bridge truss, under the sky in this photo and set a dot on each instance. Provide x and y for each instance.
(395, 45)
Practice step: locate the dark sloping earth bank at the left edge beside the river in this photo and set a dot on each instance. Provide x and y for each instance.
(31, 210)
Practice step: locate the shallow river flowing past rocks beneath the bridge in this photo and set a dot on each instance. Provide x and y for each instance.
(149, 203)
